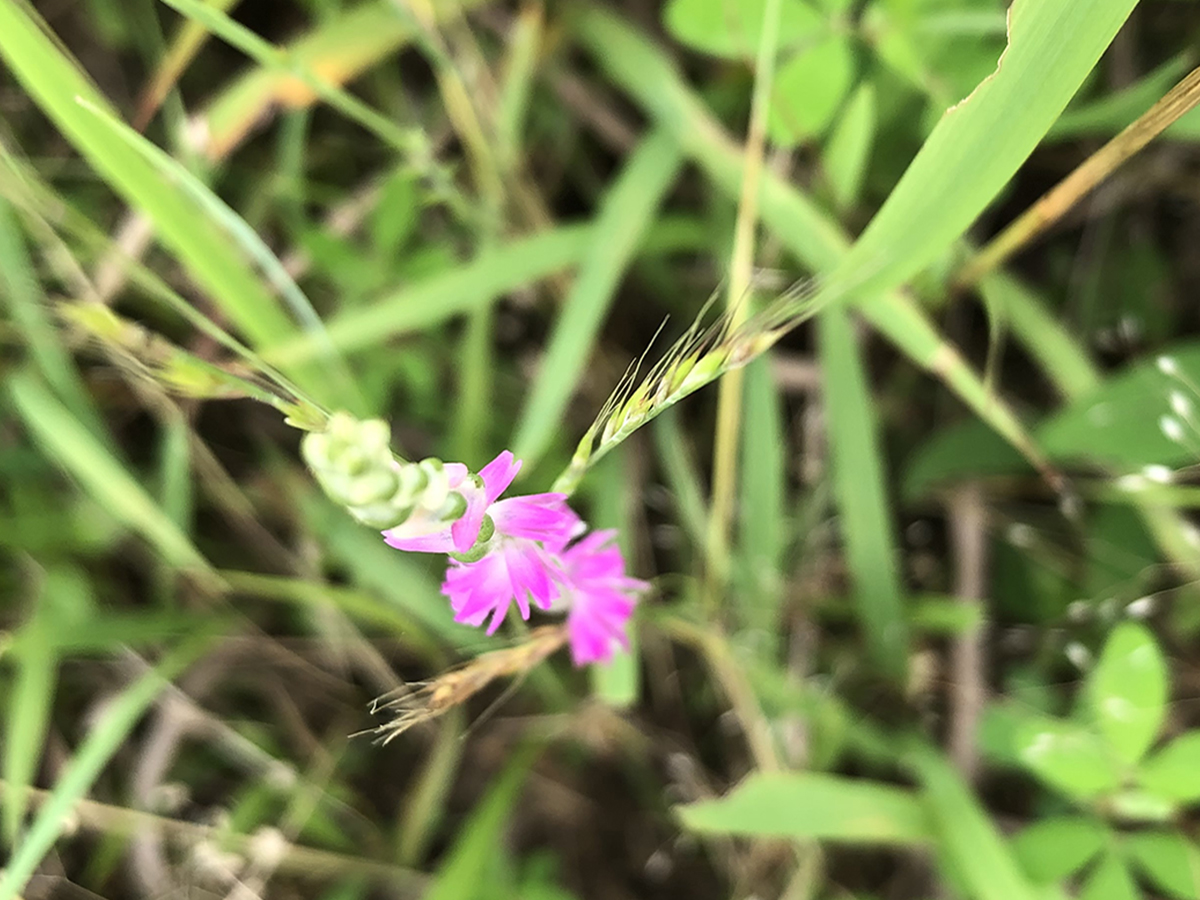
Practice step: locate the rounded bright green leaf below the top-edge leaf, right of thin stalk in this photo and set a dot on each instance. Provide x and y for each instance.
(809, 89)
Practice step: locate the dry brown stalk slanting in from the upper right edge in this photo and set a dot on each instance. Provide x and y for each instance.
(1055, 203)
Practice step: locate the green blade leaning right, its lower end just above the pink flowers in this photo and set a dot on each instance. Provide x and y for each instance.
(625, 214)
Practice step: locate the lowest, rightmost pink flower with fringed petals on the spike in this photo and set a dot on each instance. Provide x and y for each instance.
(599, 597)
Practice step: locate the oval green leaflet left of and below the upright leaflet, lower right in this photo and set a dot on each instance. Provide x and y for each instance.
(1067, 757)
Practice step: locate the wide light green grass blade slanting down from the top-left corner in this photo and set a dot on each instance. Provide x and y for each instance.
(57, 85)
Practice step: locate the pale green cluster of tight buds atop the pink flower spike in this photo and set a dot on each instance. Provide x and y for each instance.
(353, 463)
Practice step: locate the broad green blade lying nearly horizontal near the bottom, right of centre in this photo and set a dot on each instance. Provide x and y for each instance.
(813, 806)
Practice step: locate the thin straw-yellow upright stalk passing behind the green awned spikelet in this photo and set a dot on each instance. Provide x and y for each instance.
(739, 299)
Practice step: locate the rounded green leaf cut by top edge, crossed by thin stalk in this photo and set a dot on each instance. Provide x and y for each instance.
(734, 28)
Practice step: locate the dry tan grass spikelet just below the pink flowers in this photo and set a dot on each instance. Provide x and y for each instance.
(458, 686)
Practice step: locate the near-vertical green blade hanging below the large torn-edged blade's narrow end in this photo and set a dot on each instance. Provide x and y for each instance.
(859, 479)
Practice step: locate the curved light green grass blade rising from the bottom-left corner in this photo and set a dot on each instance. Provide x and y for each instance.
(91, 760)
